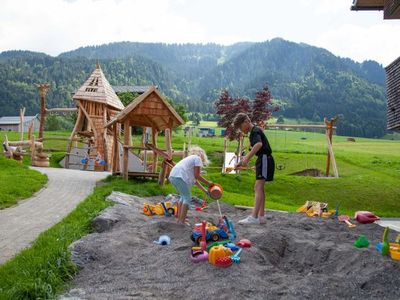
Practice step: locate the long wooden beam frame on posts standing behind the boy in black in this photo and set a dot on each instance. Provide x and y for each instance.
(232, 158)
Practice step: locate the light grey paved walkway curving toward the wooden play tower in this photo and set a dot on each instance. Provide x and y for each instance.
(21, 224)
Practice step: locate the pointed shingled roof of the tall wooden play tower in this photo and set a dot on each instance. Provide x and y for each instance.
(98, 89)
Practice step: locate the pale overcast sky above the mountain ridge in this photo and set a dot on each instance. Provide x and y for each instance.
(56, 26)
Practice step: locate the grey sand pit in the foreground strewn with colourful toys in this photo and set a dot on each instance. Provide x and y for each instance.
(293, 257)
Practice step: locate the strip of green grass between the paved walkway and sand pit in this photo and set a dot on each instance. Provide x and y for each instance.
(41, 271)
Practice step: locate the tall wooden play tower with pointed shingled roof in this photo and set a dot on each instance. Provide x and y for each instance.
(97, 103)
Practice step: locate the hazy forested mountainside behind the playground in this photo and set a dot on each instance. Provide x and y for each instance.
(307, 81)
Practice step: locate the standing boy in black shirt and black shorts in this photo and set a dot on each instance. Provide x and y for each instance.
(265, 165)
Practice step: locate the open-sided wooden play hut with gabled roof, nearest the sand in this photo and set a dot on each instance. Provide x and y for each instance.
(154, 114)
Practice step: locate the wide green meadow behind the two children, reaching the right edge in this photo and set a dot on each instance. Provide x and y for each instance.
(369, 171)
